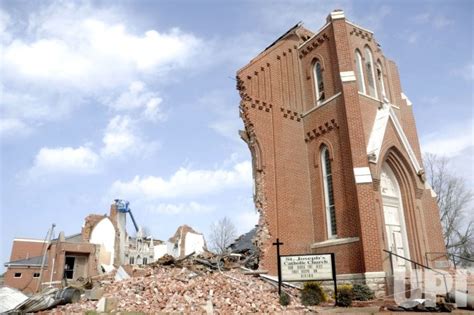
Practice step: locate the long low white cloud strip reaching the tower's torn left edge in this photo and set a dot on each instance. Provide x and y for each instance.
(184, 183)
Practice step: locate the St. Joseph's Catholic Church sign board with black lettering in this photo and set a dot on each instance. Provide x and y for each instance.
(307, 267)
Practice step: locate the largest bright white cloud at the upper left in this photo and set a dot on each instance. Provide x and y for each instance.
(90, 53)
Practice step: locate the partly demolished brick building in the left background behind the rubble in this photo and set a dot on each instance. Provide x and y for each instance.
(102, 245)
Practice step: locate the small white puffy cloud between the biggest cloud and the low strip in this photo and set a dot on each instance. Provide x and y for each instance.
(121, 140)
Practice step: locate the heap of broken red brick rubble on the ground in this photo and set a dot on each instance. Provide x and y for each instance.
(172, 287)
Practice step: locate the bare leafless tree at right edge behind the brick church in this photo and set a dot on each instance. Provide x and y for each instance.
(455, 203)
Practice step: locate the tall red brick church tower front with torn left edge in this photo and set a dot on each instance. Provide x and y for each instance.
(336, 157)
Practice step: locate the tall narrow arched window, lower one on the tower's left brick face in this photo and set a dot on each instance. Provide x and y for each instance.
(328, 192)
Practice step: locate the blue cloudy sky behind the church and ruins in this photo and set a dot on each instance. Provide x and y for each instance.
(137, 100)
